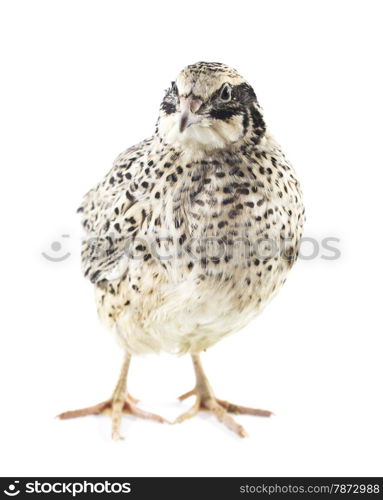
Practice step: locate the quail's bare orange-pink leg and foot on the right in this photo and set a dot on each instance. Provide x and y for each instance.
(206, 400)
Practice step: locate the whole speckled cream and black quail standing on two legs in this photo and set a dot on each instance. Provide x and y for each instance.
(191, 232)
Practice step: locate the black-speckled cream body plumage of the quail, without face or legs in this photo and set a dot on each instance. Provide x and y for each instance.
(154, 200)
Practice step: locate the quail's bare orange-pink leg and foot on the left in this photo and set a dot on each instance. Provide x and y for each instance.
(120, 402)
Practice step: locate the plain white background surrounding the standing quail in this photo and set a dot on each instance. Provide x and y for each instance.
(83, 80)
